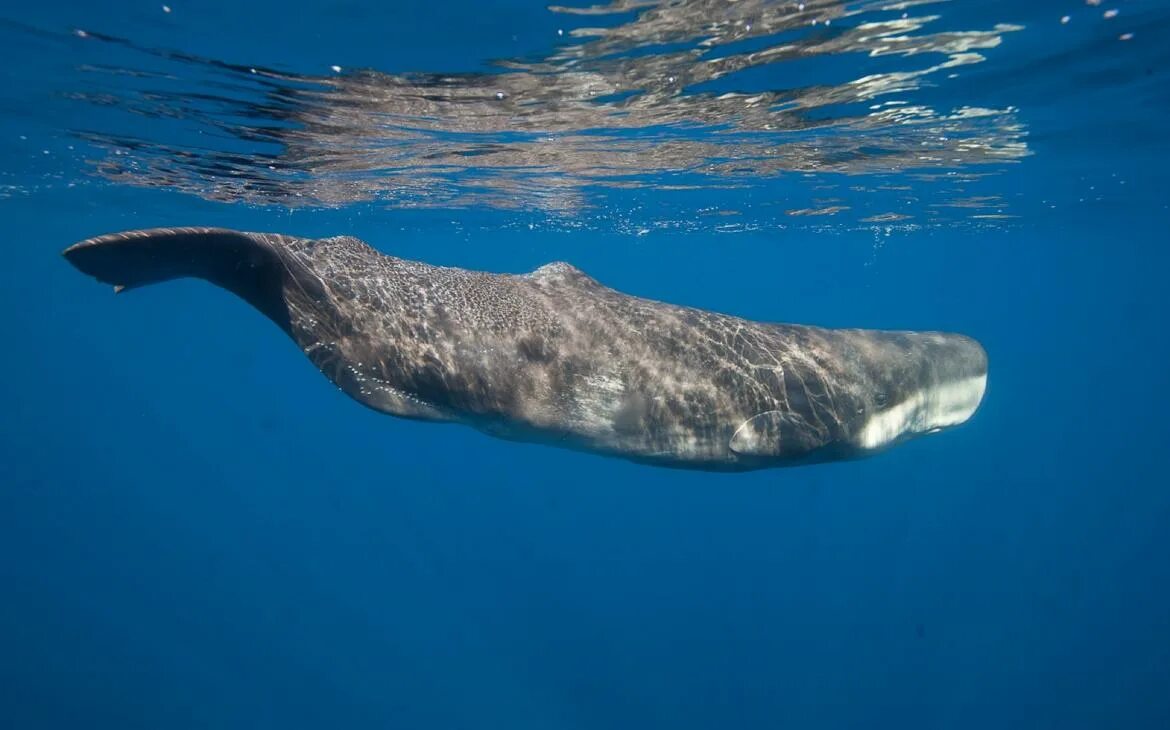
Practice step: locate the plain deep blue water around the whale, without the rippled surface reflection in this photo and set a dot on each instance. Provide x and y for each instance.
(197, 531)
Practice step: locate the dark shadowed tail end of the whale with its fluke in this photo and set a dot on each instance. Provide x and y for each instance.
(249, 265)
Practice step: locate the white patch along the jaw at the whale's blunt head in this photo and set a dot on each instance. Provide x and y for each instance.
(926, 411)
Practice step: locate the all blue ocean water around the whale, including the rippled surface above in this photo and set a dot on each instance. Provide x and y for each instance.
(198, 532)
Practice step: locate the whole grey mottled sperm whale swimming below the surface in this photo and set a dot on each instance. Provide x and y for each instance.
(555, 357)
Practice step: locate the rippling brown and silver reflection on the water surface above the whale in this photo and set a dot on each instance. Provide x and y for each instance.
(663, 100)
